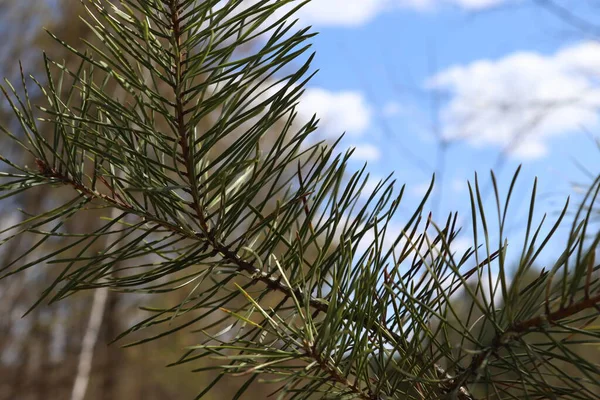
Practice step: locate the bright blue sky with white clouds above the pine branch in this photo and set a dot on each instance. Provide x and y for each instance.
(503, 83)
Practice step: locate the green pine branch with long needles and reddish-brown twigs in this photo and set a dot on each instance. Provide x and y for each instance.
(288, 274)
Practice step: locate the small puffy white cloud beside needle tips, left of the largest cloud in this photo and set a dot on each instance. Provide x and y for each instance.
(339, 112)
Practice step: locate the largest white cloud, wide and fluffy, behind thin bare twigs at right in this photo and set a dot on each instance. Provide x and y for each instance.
(523, 100)
